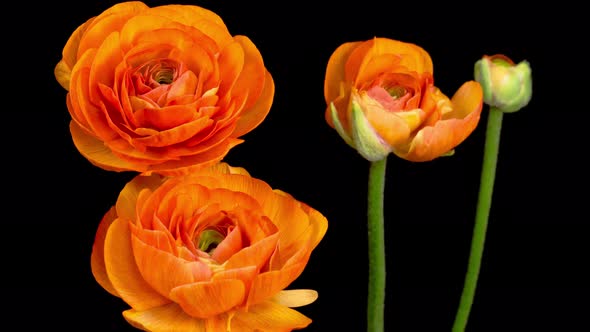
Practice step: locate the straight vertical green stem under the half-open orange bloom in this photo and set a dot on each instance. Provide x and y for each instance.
(376, 295)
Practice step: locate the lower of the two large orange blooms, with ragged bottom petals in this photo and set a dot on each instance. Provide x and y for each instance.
(211, 250)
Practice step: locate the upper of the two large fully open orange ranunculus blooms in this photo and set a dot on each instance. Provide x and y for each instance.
(162, 89)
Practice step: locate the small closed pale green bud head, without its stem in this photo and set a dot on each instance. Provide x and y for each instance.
(506, 86)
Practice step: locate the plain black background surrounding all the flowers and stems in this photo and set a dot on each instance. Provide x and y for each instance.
(533, 274)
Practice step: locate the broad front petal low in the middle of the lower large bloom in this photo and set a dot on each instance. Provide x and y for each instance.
(207, 299)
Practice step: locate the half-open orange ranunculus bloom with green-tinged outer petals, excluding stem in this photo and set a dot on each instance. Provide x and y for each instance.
(381, 99)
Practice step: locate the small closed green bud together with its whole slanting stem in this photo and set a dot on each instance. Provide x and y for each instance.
(507, 88)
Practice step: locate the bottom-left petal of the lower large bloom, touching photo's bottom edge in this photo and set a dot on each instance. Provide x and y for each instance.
(166, 318)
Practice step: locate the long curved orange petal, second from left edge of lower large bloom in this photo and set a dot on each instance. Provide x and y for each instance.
(123, 272)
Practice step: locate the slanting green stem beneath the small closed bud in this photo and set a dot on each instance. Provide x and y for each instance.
(484, 202)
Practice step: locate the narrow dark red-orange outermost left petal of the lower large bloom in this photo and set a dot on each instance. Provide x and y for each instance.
(97, 263)
